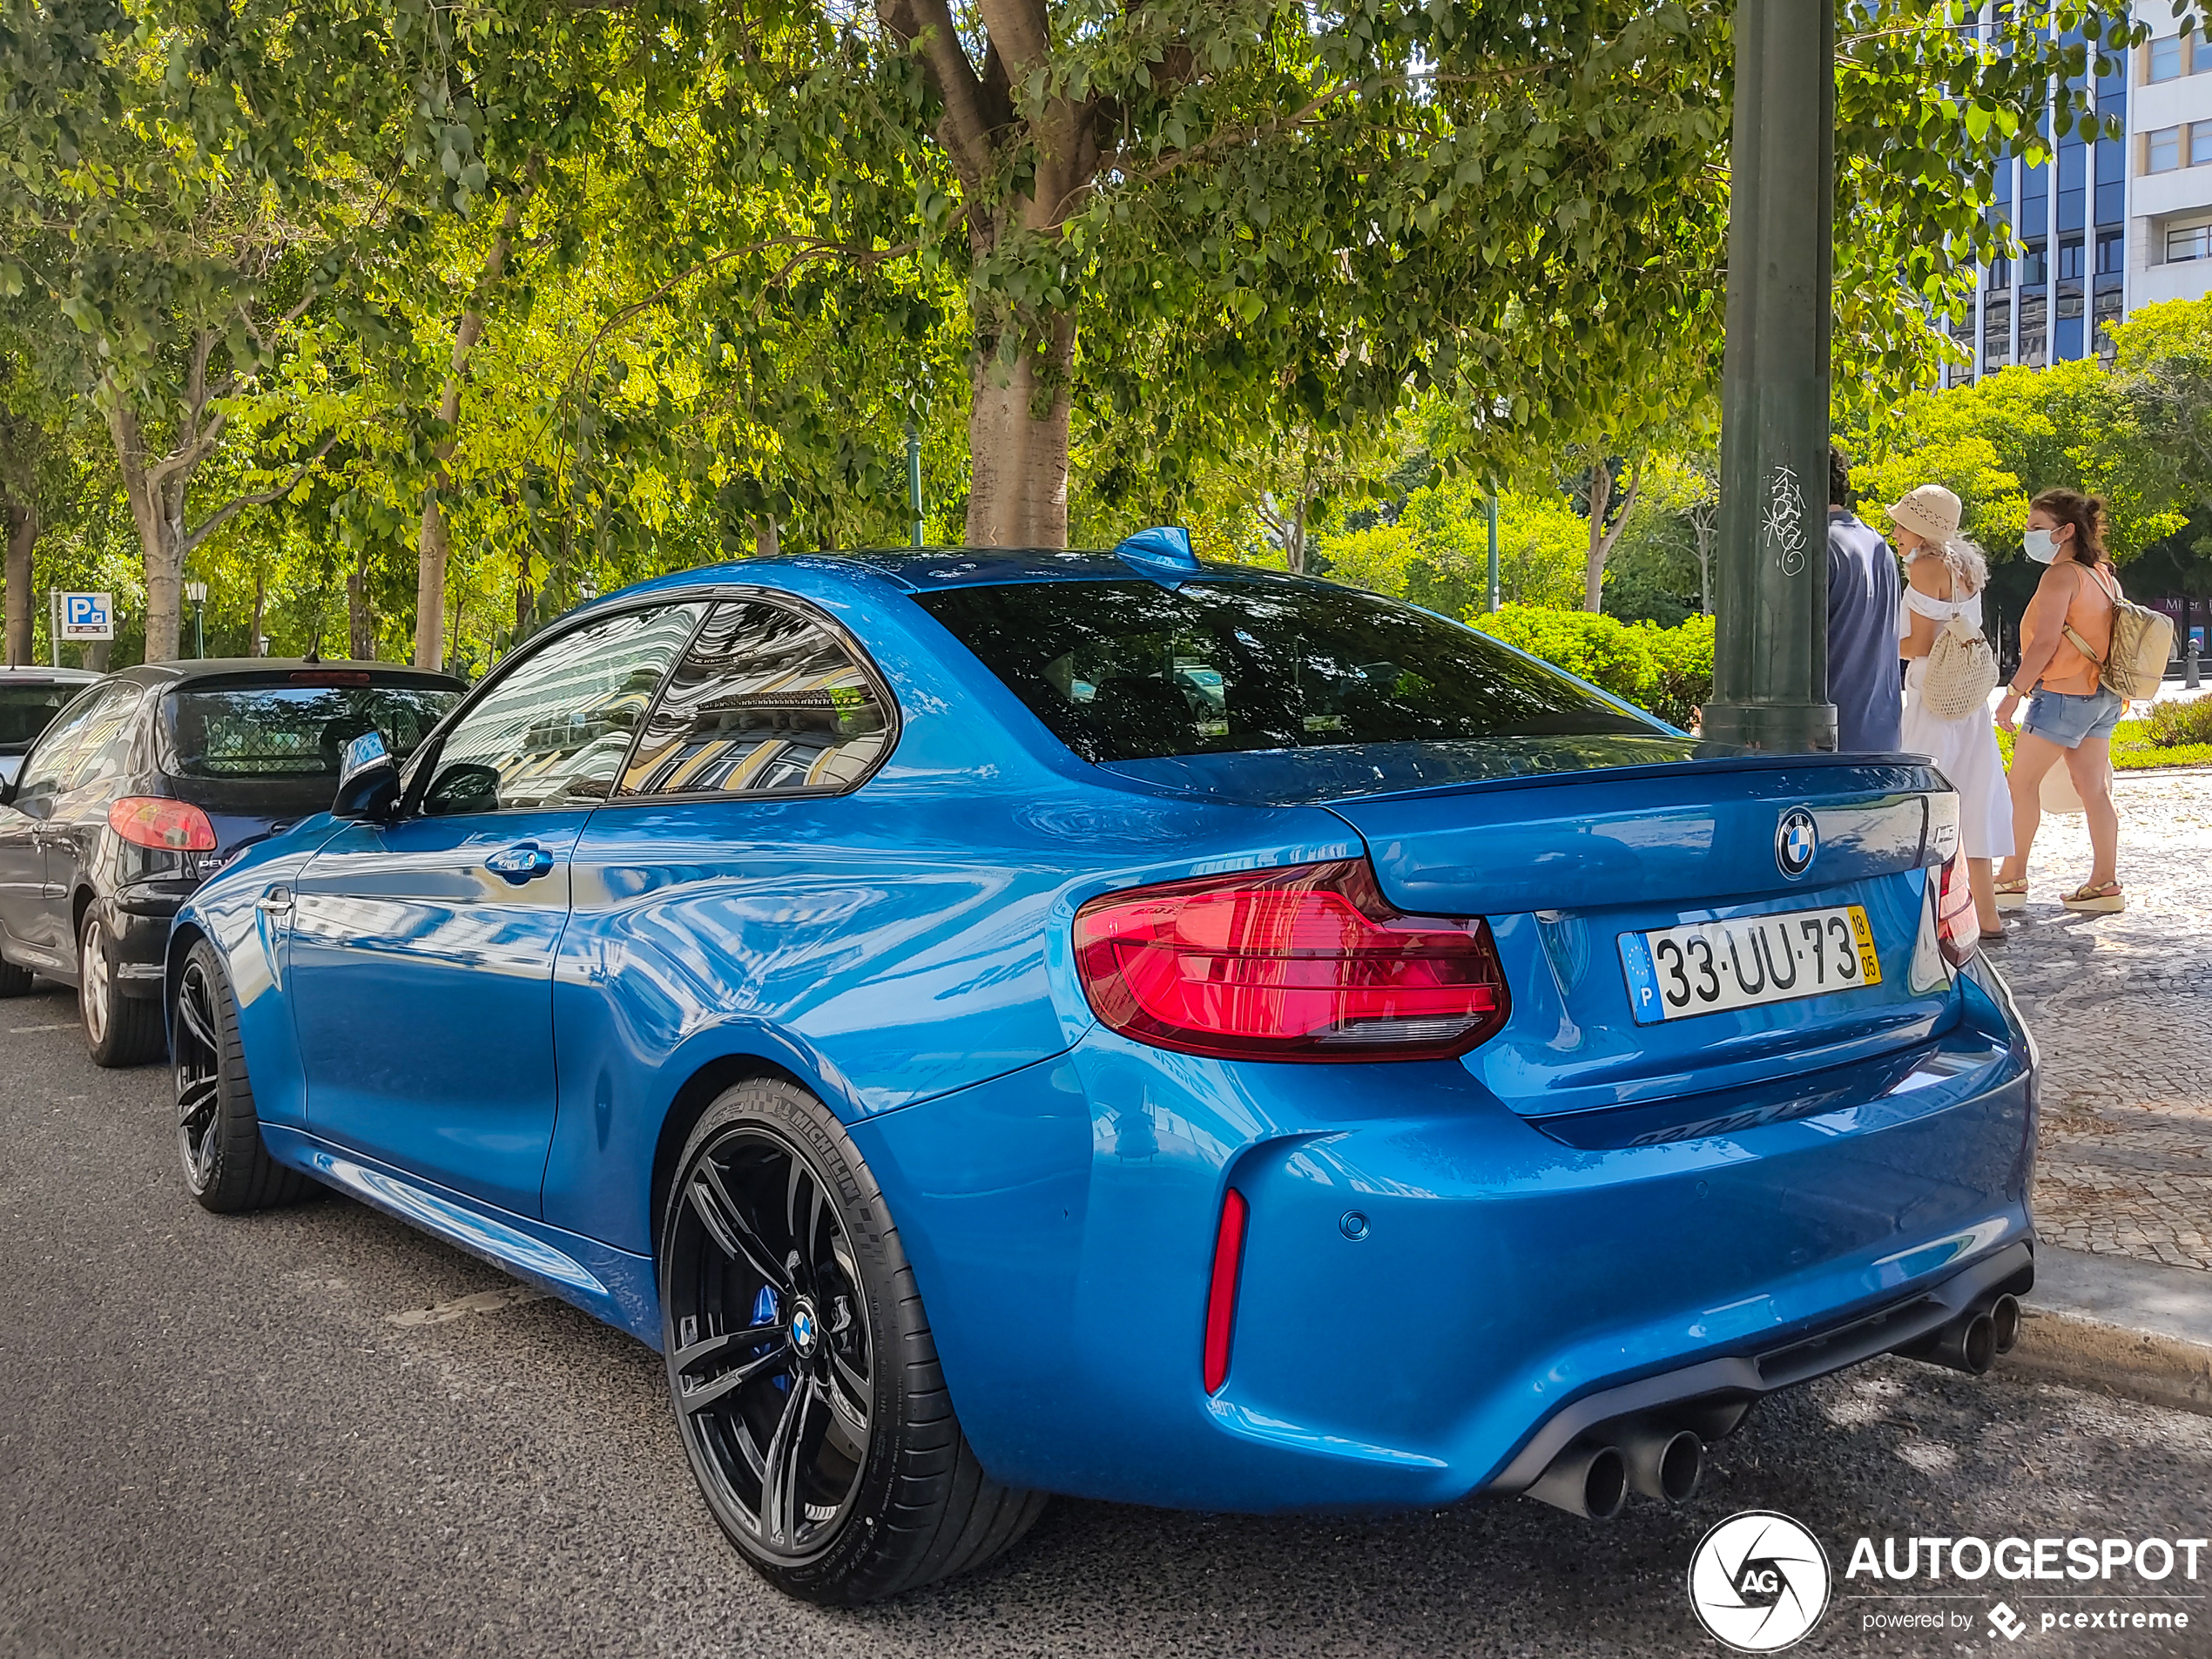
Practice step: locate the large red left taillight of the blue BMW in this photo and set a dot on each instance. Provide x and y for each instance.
(1302, 963)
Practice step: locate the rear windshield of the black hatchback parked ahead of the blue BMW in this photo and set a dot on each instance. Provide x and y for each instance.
(293, 731)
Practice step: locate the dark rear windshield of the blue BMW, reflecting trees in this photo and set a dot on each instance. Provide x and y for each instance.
(1129, 671)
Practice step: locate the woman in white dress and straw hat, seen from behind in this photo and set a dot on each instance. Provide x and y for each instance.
(1943, 578)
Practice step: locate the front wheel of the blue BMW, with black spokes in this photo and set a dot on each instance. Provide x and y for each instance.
(218, 1134)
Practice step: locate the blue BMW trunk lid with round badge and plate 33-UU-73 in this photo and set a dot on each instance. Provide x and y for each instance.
(1578, 870)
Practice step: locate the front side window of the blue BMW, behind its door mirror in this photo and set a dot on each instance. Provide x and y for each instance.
(554, 729)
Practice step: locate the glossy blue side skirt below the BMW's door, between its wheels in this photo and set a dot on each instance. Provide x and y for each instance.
(609, 1284)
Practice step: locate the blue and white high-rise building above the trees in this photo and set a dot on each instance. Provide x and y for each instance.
(2111, 225)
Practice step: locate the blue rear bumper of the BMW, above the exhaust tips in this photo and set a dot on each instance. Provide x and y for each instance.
(1434, 1295)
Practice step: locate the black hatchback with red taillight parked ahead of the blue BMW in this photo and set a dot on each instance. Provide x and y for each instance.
(149, 784)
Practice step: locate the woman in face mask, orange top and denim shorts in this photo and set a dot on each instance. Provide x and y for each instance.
(2072, 711)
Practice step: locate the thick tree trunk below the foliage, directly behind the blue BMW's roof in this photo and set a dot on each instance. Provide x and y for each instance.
(1019, 444)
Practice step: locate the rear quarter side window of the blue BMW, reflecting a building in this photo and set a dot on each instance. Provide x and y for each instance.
(766, 702)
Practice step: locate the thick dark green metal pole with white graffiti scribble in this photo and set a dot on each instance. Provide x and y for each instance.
(1771, 603)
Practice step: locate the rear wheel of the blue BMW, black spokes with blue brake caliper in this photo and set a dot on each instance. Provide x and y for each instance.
(804, 1375)
